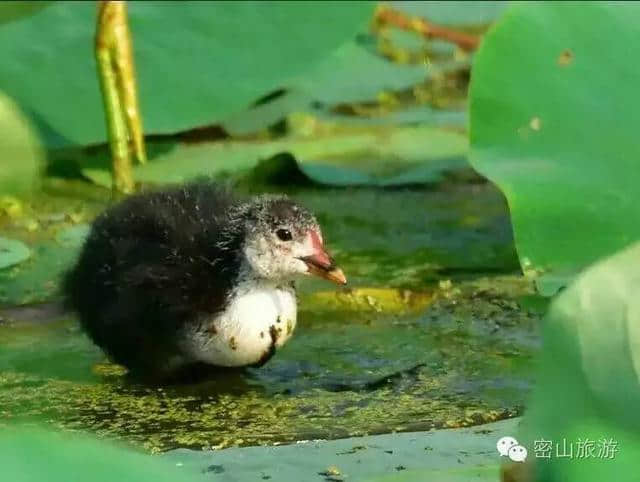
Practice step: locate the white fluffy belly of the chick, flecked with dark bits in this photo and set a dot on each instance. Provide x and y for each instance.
(256, 321)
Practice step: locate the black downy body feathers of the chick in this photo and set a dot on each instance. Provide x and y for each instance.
(150, 265)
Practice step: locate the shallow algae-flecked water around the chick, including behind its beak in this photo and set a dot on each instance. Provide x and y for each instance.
(452, 347)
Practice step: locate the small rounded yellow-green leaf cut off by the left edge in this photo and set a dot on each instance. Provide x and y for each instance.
(21, 155)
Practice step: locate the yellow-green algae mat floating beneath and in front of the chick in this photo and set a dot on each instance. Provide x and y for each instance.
(473, 341)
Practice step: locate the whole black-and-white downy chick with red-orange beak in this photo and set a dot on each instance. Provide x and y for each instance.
(194, 275)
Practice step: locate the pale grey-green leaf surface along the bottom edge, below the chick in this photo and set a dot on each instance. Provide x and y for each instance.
(454, 455)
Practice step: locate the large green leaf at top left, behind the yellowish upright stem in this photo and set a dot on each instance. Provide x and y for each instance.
(197, 62)
